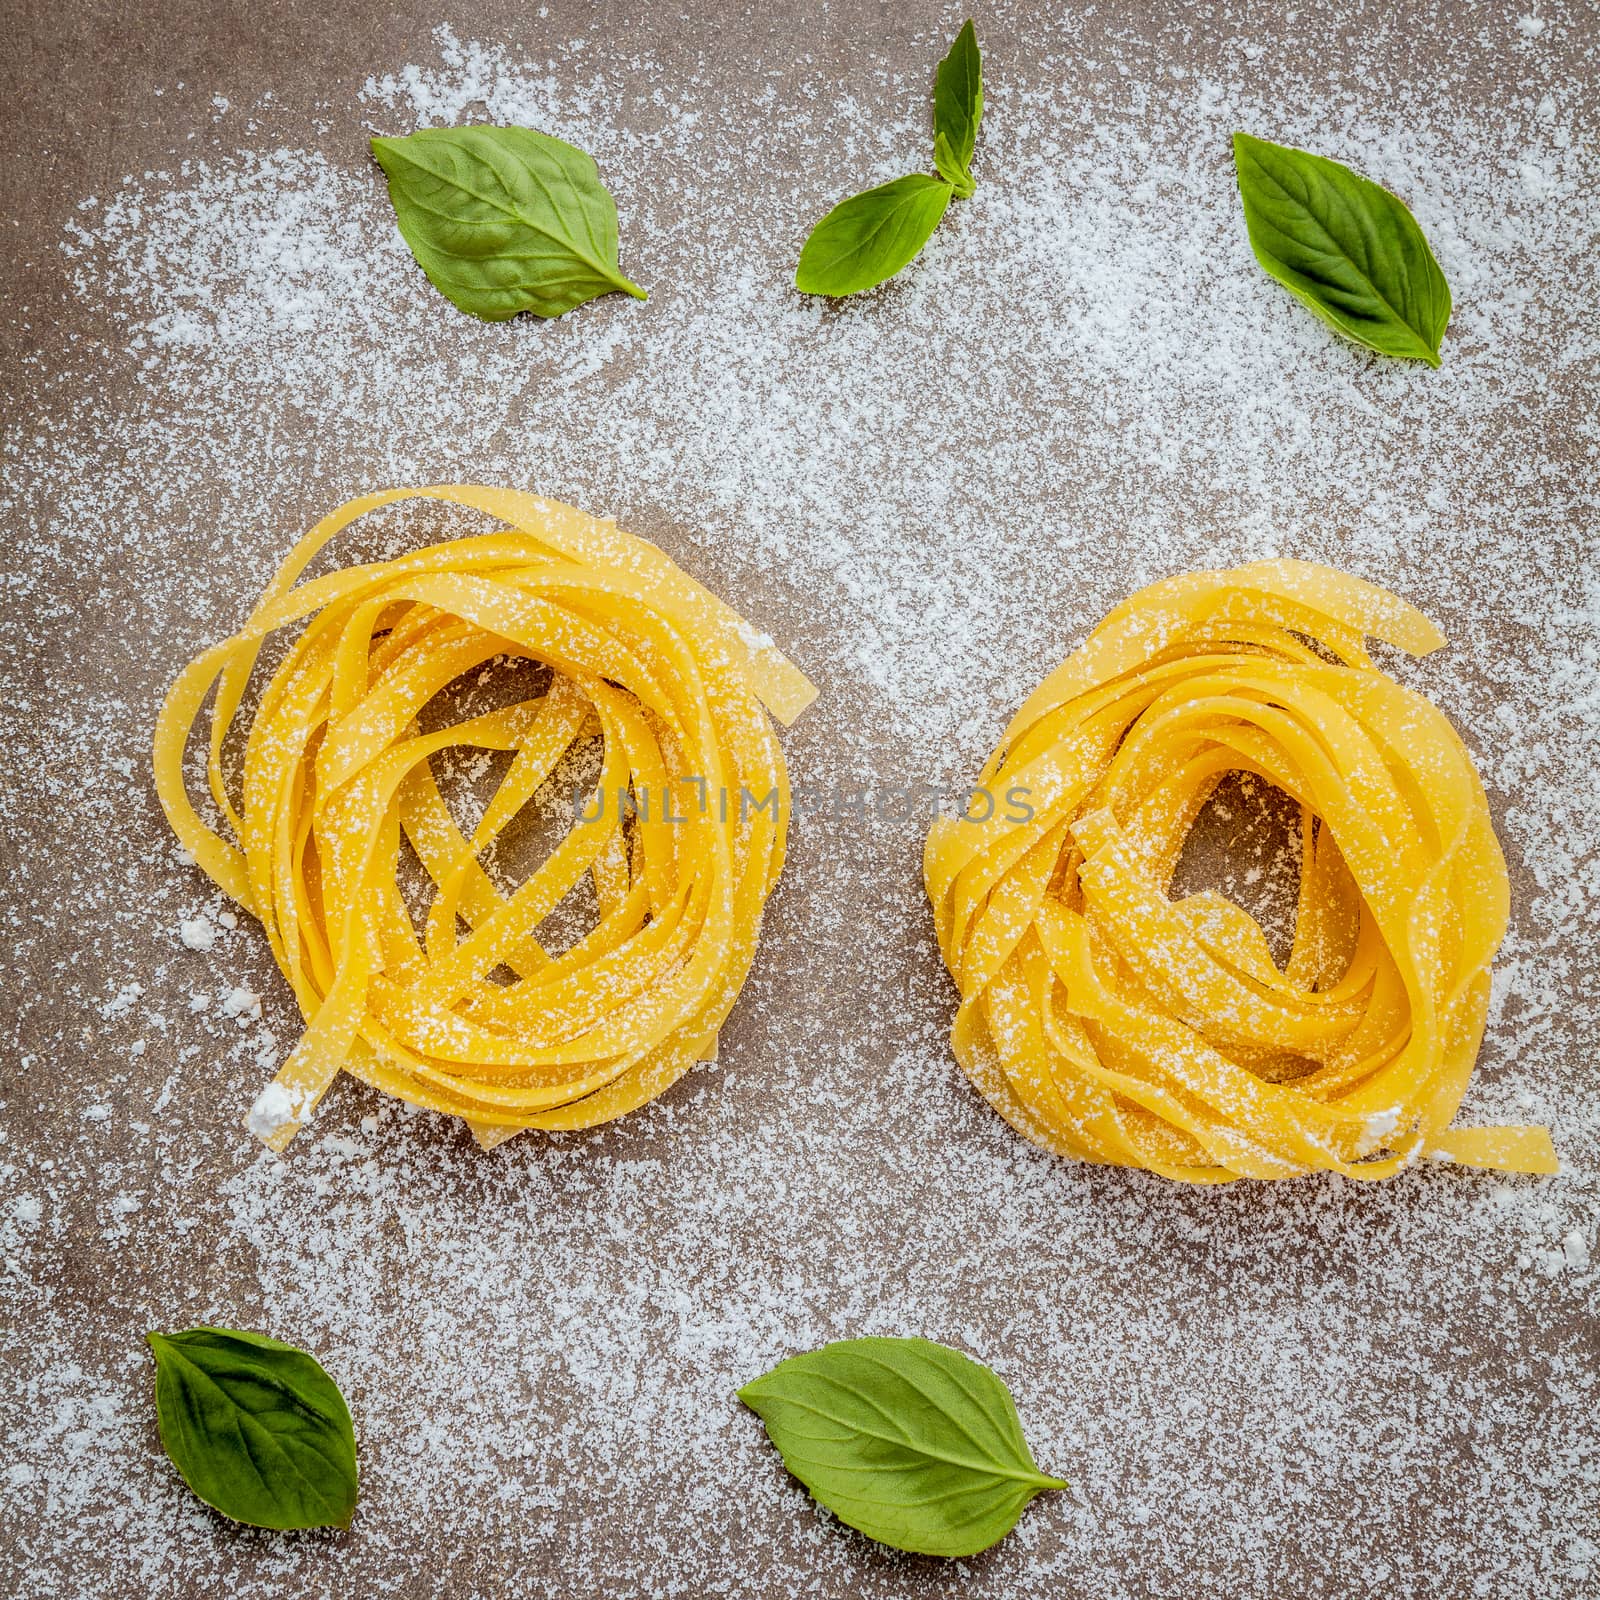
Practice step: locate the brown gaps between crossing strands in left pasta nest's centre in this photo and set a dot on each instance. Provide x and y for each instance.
(468, 782)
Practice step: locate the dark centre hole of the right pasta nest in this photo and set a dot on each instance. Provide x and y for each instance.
(1247, 846)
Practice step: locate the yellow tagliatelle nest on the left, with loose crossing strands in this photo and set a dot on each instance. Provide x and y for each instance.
(684, 842)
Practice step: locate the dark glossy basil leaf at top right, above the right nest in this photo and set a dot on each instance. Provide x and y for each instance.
(1343, 246)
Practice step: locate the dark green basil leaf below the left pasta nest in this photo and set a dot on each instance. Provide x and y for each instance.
(257, 1428)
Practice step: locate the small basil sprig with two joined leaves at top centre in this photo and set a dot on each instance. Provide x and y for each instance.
(865, 241)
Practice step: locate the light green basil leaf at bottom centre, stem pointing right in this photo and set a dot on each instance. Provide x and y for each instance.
(913, 1444)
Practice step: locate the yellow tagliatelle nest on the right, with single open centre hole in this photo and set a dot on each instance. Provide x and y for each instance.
(1111, 1023)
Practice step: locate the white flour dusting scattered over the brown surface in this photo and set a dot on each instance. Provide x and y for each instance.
(926, 497)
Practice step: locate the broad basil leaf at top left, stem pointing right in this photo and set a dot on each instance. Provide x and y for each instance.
(505, 220)
